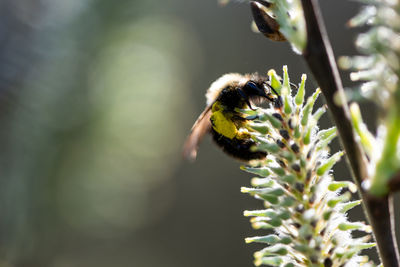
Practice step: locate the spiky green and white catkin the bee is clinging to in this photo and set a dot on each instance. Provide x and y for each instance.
(300, 197)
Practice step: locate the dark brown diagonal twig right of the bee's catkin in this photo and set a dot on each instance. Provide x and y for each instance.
(319, 56)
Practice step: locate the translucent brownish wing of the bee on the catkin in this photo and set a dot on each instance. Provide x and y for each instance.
(199, 129)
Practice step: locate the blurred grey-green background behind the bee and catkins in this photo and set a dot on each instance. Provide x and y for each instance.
(96, 99)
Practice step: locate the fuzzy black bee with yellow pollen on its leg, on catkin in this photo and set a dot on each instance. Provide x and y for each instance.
(223, 119)
